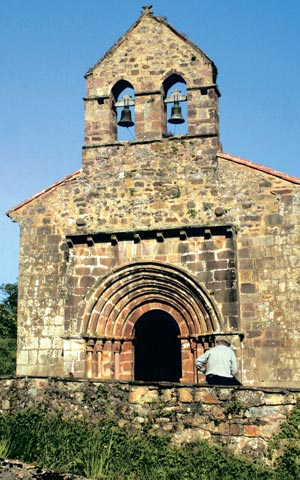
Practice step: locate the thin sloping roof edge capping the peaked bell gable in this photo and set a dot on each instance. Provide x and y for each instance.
(161, 20)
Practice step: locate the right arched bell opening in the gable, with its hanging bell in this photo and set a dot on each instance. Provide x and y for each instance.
(175, 101)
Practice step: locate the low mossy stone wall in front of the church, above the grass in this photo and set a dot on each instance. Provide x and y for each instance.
(243, 418)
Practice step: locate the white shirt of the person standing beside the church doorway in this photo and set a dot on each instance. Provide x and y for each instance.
(220, 361)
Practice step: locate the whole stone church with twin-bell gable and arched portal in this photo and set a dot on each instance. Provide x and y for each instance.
(130, 266)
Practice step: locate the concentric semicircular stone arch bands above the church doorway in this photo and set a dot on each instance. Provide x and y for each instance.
(129, 291)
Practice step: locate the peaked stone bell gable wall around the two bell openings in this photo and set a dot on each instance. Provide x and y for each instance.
(147, 68)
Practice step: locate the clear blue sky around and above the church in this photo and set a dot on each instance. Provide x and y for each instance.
(47, 46)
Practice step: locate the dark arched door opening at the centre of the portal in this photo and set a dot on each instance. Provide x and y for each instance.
(157, 348)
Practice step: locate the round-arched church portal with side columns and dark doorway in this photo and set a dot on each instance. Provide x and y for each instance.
(122, 310)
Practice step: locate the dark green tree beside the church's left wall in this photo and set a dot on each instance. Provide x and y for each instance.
(8, 327)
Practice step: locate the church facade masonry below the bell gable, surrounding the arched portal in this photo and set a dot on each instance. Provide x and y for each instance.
(165, 185)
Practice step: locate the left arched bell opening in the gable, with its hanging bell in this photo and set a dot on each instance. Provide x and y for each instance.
(123, 108)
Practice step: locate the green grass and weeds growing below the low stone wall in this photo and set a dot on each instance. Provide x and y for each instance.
(102, 450)
